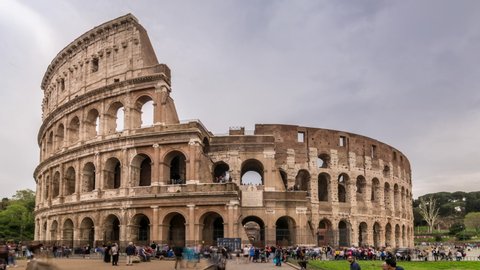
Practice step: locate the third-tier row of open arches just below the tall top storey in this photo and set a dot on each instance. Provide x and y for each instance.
(95, 122)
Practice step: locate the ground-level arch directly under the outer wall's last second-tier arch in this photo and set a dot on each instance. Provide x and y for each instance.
(174, 229)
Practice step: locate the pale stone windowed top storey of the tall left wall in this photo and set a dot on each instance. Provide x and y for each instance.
(113, 52)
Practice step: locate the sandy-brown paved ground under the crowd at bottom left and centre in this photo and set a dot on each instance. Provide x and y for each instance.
(97, 264)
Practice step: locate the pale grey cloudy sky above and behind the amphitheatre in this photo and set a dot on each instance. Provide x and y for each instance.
(404, 72)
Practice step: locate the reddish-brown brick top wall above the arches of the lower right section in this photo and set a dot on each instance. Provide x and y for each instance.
(344, 143)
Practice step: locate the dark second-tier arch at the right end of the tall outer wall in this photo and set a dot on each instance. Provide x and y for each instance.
(176, 170)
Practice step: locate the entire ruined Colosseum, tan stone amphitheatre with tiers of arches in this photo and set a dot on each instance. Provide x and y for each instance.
(117, 164)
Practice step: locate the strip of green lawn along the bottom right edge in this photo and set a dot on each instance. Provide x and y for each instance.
(371, 265)
